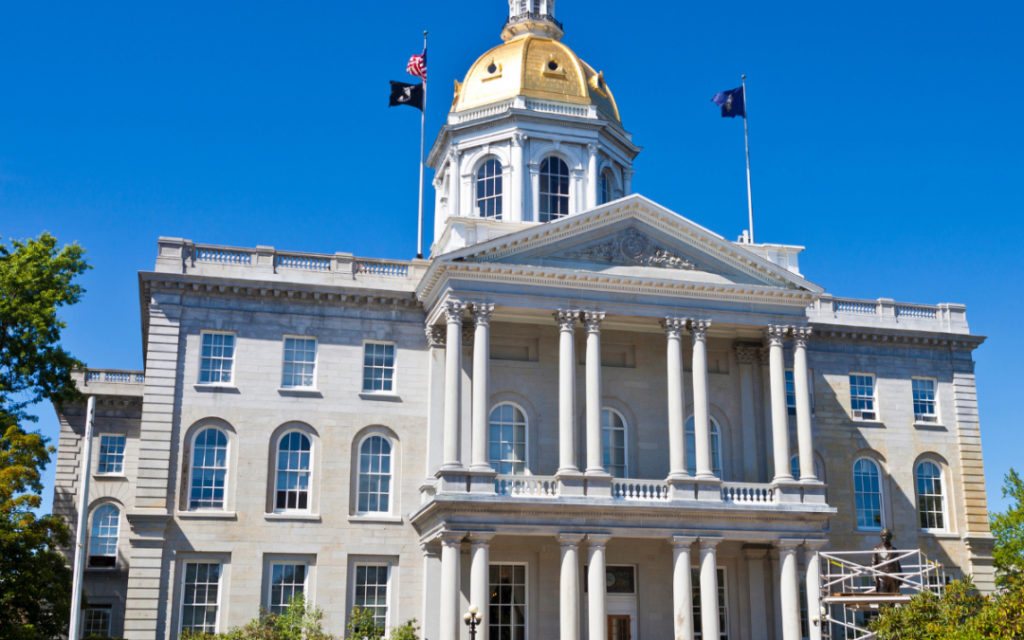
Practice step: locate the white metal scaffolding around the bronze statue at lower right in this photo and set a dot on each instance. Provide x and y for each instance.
(849, 595)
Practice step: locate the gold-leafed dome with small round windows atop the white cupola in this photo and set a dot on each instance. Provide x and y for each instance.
(534, 67)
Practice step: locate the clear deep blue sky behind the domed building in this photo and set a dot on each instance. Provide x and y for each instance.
(885, 138)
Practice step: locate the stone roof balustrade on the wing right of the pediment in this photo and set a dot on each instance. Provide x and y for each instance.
(887, 314)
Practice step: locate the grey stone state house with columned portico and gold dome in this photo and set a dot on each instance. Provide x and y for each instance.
(585, 413)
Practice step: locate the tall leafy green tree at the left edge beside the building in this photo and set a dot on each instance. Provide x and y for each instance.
(36, 279)
